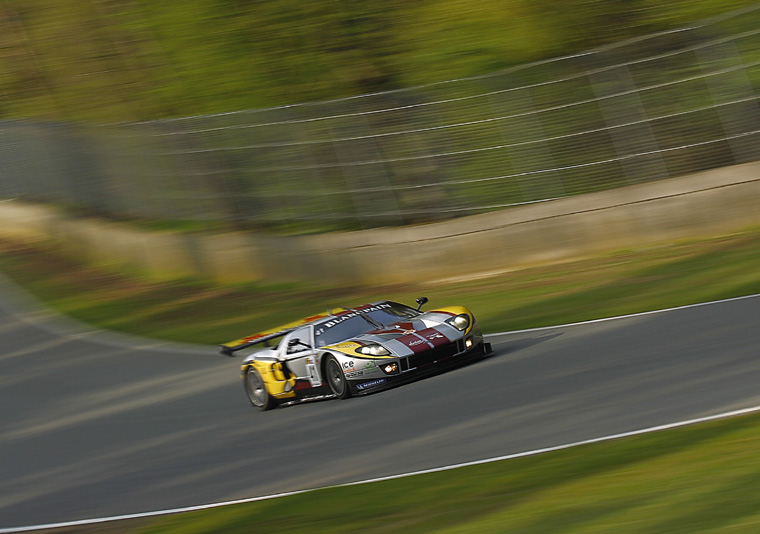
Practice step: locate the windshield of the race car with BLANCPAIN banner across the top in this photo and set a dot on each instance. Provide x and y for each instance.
(355, 323)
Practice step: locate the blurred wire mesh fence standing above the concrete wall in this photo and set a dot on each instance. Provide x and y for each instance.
(645, 109)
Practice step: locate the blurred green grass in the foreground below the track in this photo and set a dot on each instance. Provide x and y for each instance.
(694, 479)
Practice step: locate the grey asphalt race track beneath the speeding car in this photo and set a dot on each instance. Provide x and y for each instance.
(95, 425)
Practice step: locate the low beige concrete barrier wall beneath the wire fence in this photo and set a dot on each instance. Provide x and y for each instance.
(709, 203)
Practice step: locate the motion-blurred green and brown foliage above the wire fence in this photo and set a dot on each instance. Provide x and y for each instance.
(122, 60)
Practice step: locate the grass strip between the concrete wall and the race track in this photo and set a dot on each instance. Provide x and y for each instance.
(197, 311)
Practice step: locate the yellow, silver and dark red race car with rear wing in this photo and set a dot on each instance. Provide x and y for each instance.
(355, 351)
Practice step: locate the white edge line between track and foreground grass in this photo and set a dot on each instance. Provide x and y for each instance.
(535, 452)
